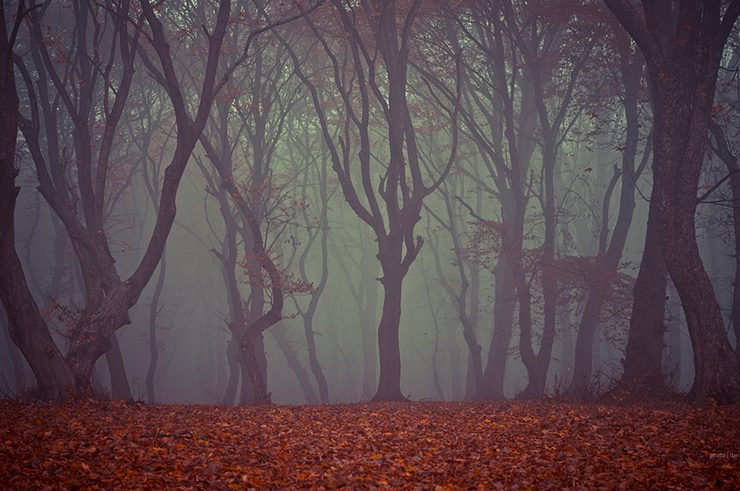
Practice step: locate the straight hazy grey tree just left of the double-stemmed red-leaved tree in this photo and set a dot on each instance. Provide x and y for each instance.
(498, 112)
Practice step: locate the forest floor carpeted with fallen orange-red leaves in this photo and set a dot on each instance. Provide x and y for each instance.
(394, 445)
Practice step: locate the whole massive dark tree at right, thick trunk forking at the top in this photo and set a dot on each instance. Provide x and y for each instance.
(682, 42)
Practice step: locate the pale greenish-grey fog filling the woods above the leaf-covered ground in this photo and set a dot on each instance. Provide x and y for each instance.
(476, 170)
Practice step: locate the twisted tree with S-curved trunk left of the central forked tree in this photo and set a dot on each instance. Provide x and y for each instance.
(241, 141)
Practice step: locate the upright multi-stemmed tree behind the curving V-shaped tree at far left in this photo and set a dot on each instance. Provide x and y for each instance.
(93, 149)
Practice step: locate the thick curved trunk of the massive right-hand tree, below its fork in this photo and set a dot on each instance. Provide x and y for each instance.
(679, 154)
